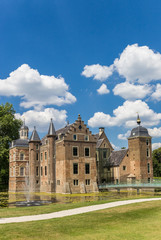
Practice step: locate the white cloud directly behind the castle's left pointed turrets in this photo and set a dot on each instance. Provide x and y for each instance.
(41, 119)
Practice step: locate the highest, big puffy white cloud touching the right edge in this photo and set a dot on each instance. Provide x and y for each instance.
(139, 64)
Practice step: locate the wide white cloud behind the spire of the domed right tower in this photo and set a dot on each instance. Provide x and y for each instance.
(125, 115)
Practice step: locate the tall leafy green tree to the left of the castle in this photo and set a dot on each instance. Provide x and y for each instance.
(9, 127)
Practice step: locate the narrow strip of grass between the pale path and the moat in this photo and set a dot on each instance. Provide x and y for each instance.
(22, 211)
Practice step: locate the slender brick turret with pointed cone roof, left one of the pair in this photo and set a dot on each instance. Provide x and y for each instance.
(34, 164)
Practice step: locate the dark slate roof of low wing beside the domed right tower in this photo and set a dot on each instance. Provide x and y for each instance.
(116, 157)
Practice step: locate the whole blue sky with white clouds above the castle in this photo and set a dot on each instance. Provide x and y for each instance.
(99, 58)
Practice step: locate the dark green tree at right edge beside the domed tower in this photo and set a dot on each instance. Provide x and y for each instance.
(157, 162)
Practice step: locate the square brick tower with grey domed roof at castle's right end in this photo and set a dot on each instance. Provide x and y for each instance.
(140, 153)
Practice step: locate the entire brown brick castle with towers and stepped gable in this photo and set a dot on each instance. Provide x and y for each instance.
(73, 160)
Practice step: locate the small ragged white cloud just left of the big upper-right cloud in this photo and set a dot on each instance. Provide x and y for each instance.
(97, 71)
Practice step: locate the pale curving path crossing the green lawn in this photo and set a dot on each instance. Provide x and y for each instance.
(75, 211)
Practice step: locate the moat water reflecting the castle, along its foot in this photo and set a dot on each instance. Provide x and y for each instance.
(19, 199)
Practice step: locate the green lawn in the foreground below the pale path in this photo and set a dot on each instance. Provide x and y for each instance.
(141, 221)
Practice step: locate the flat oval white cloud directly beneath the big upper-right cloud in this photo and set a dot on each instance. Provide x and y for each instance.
(130, 91)
